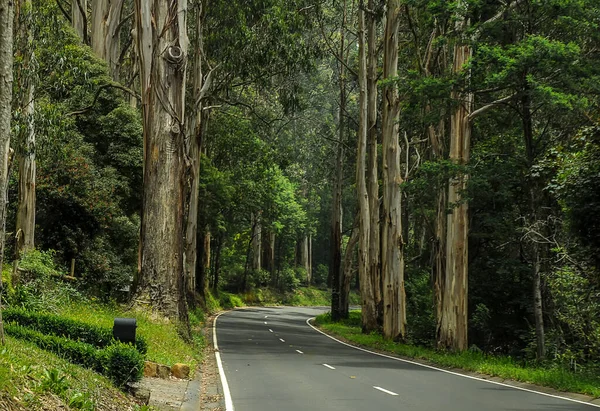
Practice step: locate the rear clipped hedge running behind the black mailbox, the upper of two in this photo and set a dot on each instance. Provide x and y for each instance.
(64, 327)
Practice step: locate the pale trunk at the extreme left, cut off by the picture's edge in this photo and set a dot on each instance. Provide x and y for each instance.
(6, 86)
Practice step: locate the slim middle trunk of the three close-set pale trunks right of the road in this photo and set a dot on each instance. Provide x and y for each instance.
(372, 174)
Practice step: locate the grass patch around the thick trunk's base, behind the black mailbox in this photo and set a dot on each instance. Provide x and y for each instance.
(165, 346)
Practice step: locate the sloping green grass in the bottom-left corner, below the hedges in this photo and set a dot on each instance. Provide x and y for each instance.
(33, 379)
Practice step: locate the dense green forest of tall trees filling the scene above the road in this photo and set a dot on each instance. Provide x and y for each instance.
(441, 157)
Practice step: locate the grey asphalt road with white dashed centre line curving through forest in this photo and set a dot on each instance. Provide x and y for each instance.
(274, 361)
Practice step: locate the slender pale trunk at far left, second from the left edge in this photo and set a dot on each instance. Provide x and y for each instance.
(25, 226)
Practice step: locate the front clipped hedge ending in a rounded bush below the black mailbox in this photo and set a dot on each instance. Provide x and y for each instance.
(120, 362)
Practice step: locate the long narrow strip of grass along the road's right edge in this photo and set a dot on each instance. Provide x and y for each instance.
(497, 366)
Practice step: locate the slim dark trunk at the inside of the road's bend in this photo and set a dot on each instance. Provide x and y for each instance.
(336, 215)
